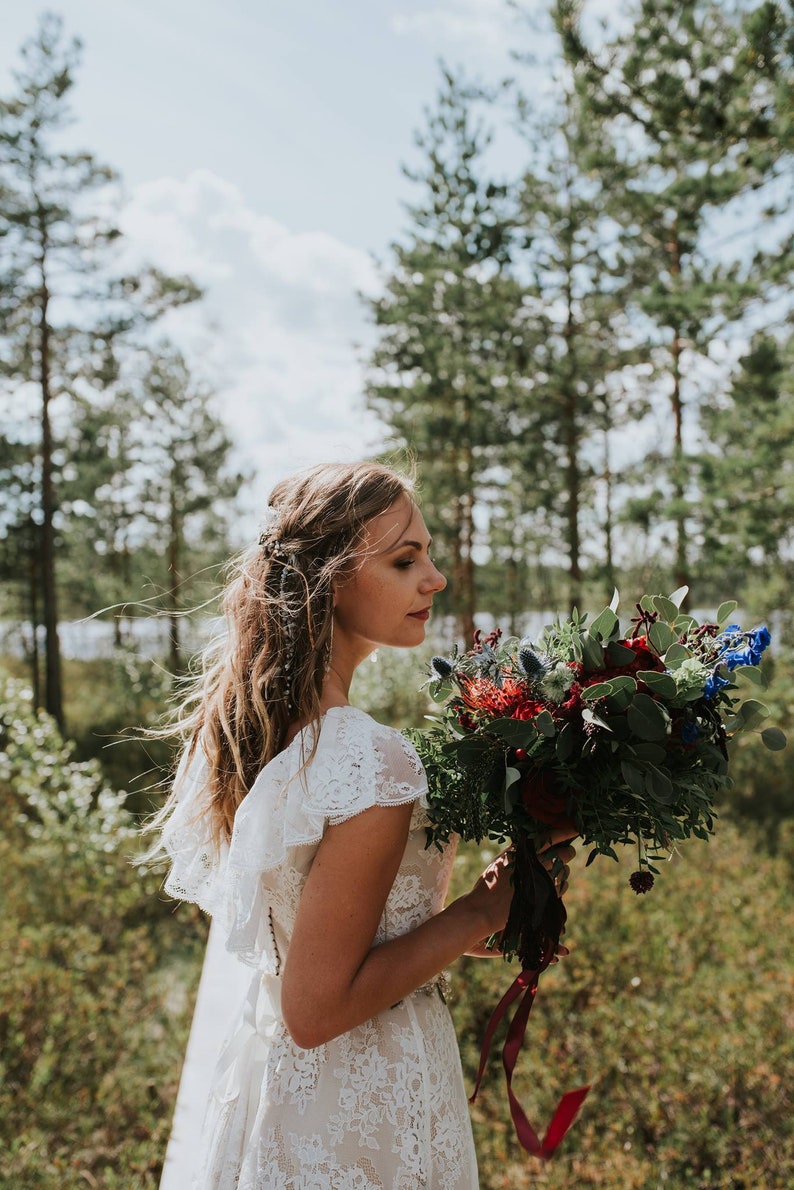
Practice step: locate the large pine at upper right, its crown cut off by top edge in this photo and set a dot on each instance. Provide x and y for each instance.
(691, 101)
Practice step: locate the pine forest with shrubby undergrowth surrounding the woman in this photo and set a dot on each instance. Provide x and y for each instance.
(589, 366)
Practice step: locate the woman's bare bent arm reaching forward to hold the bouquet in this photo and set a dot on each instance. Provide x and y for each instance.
(334, 978)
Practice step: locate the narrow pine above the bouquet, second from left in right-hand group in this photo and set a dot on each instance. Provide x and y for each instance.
(576, 302)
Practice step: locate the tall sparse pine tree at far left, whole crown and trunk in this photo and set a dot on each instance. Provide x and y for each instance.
(64, 311)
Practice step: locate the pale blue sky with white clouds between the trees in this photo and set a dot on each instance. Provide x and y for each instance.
(261, 145)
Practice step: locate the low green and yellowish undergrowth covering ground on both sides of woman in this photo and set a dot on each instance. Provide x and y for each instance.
(673, 1005)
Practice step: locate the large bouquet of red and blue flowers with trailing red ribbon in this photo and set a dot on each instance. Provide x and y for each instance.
(618, 738)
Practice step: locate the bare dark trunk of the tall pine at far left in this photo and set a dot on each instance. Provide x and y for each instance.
(54, 696)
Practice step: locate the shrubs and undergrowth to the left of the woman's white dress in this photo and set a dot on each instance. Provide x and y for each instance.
(97, 980)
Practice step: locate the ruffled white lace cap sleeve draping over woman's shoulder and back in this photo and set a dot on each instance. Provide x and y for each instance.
(358, 765)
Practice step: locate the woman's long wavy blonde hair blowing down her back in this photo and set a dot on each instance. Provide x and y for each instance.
(266, 672)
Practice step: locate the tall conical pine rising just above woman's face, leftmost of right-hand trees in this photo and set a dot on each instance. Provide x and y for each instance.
(445, 374)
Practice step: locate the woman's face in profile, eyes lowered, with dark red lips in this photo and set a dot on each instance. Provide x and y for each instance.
(389, 597)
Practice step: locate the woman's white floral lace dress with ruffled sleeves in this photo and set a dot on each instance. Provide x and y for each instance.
(383, 1107)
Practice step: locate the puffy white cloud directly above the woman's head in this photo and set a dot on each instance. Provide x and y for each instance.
(277, 330)
